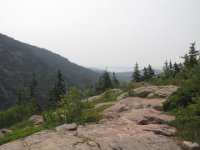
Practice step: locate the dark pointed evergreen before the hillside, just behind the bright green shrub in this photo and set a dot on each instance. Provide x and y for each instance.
(58, 90)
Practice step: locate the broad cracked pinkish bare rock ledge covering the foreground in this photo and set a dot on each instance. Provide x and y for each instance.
(130, 124)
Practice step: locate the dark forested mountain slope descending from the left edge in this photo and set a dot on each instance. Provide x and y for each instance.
(18, 61)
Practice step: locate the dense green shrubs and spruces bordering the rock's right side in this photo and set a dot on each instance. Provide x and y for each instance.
(185, 102)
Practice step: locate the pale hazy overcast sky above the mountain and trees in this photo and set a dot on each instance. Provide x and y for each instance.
(106, 33)
